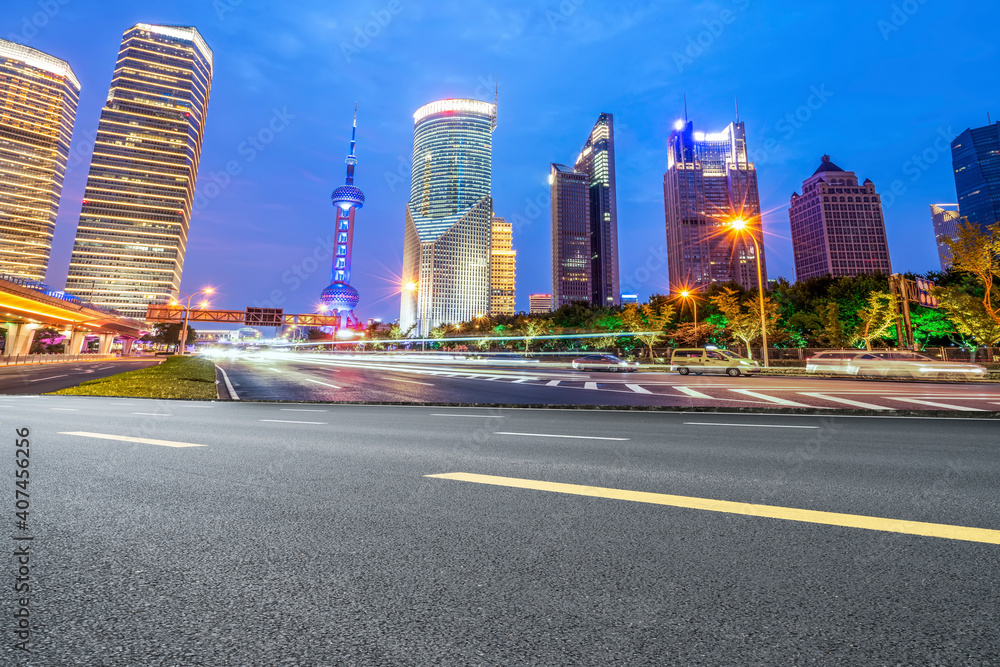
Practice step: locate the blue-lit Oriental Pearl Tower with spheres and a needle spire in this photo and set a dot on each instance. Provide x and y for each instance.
(339, 297)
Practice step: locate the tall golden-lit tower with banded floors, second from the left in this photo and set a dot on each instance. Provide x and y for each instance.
(133, 230)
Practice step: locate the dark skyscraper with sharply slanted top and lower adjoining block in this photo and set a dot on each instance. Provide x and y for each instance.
(585, 222)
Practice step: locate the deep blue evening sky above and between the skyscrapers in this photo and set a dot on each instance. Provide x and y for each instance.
(880, 86)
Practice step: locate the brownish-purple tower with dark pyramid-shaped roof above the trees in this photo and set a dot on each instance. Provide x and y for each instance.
(837, 225)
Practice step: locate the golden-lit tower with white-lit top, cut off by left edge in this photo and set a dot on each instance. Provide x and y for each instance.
(38, 100)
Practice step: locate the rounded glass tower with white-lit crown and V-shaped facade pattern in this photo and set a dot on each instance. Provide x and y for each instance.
(449, 218)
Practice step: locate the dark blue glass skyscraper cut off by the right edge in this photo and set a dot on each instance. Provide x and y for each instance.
(975, 157)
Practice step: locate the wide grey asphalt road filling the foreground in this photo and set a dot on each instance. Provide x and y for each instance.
(312, 535)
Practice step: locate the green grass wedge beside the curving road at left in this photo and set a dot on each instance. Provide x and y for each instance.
(177, 377)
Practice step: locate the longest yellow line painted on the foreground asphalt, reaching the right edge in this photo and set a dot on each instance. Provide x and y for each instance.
(941, 530)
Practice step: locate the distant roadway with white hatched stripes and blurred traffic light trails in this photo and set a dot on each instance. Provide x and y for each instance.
(291, 377)
